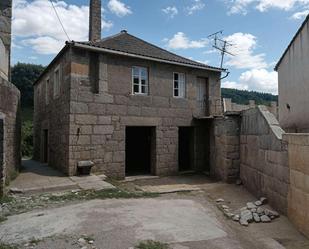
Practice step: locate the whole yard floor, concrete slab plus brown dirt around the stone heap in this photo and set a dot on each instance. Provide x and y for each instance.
(185, 220)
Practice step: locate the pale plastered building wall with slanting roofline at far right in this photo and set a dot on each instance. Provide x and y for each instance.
(293, 82)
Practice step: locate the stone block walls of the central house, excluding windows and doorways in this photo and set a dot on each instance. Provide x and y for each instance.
(90, 125)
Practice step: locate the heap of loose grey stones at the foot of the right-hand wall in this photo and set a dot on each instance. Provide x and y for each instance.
(252, 212)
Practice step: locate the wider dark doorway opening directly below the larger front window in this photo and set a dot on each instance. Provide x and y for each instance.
(139, 144)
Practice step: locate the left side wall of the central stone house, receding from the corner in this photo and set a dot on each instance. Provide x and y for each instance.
(52, 114)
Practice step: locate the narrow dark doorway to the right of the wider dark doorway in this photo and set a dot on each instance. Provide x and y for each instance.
(185, 148)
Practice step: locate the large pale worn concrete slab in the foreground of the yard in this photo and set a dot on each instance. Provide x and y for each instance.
(170, 221)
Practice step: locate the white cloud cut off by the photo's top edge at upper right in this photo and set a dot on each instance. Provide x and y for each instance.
(241, 6)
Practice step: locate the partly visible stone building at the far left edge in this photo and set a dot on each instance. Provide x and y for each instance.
(9, 103)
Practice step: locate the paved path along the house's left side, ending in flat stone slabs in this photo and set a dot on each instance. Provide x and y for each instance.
(37, 177)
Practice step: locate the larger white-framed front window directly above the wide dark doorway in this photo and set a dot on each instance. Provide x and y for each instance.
(140, 80)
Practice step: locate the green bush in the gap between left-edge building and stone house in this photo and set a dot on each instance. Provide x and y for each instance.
(27, 139)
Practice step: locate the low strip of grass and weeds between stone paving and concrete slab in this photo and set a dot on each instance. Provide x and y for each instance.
(101, 194)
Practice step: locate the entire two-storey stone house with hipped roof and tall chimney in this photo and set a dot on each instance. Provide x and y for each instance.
(126, 105)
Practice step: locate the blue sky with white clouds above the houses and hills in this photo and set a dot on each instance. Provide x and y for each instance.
(258, 31)
